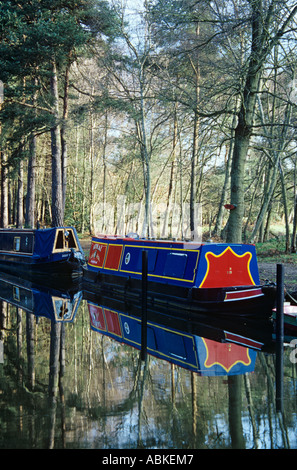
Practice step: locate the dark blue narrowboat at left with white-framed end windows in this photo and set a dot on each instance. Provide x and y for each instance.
(44, 252)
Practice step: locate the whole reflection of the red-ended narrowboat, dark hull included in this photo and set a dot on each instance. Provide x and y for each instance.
(176, 340)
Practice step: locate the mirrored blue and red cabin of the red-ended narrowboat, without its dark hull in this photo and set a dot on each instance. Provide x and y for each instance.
(205, 356)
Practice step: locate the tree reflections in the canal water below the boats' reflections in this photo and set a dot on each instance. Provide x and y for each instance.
(64, 385)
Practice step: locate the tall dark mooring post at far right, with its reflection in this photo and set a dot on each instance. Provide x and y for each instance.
(279, 369)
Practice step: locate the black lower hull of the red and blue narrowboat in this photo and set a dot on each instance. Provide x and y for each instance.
(250, 300)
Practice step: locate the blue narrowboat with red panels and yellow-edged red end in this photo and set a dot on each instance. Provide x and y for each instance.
(213, 278)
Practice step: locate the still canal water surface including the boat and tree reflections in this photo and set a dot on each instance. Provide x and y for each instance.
(72, 376)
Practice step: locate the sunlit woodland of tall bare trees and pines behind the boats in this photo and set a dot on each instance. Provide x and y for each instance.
(175, 104)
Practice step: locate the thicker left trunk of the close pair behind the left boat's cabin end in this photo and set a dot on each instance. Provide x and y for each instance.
(57, 193)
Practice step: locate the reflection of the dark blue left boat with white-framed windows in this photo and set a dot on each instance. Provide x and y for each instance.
(41, 300)
